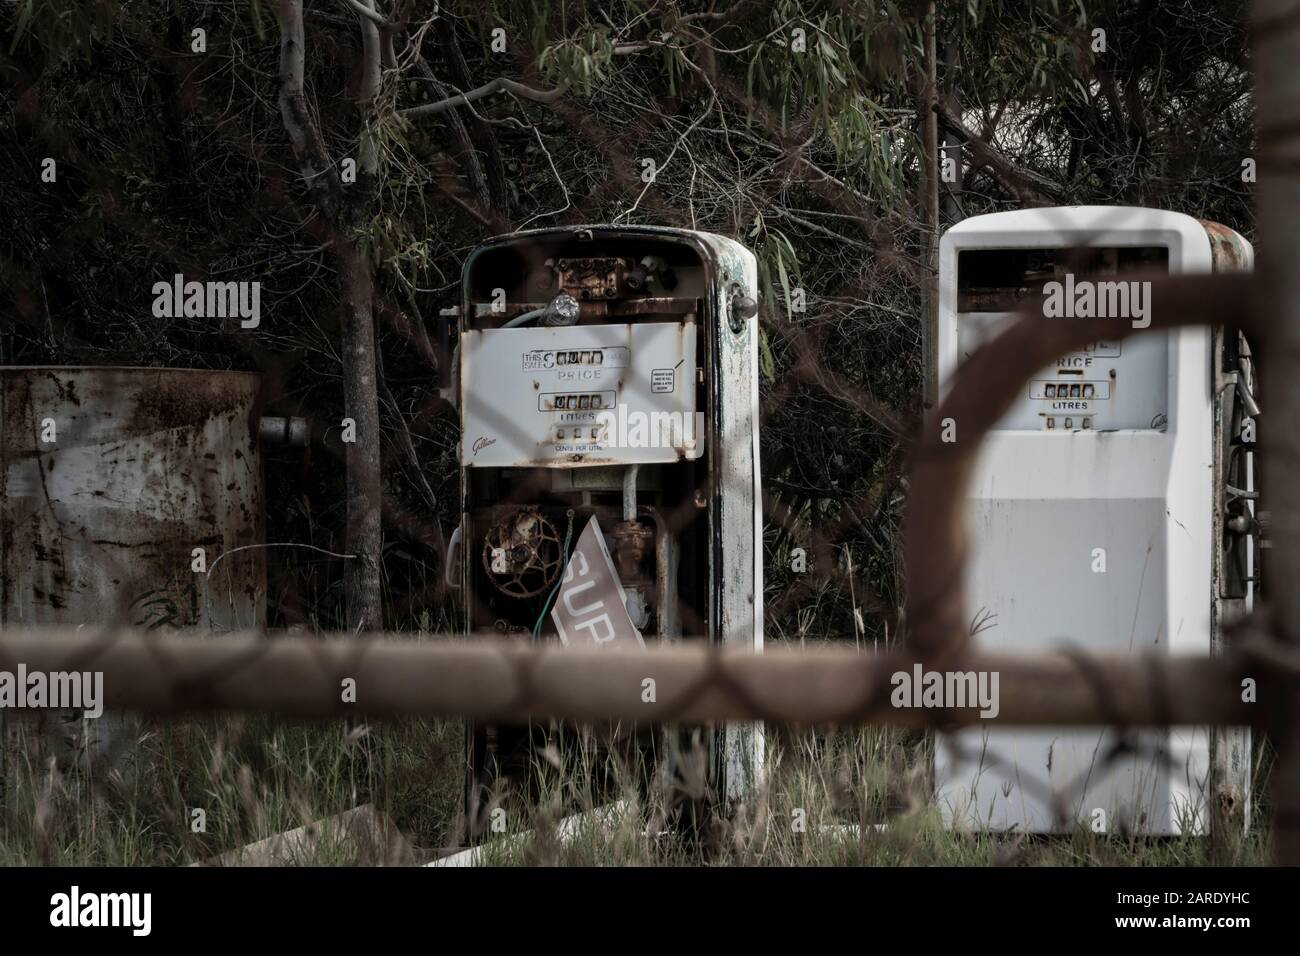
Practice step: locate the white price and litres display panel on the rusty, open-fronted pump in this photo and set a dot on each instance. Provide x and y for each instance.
(580, 396)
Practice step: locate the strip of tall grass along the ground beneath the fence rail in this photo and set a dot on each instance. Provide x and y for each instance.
(844, 798)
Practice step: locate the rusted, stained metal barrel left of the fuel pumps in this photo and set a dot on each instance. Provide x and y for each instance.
(125, 498)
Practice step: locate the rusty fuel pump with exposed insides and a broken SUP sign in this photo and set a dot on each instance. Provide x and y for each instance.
(608, 388)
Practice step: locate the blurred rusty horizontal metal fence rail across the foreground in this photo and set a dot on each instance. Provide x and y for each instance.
(695, 684)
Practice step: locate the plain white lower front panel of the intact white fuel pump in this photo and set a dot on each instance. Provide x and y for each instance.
(1011, 778)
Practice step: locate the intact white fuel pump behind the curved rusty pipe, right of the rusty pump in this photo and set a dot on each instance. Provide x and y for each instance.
(1112, 511)
